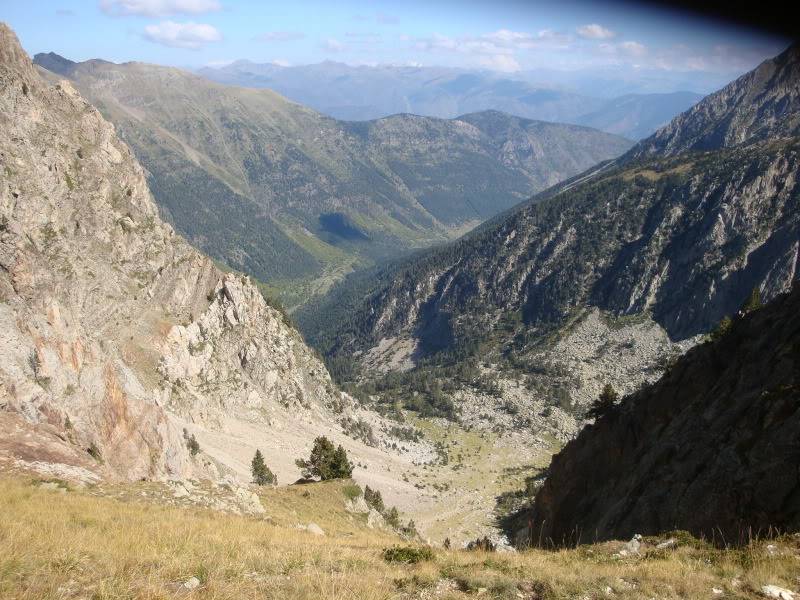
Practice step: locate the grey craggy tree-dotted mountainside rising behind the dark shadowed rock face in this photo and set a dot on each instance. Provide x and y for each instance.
(594, 280)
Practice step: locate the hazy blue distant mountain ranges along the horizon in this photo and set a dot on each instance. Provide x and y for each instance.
(365, 92)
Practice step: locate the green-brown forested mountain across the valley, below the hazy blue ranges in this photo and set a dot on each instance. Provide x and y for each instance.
(297, 199)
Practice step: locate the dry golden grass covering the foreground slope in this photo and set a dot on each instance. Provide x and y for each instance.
(78, 545)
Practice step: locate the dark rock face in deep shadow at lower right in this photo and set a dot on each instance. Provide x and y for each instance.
(711, 448)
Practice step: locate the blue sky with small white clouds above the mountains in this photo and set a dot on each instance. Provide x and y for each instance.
(502, 35)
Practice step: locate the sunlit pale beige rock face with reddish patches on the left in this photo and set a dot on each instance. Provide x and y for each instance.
(109, 321)
